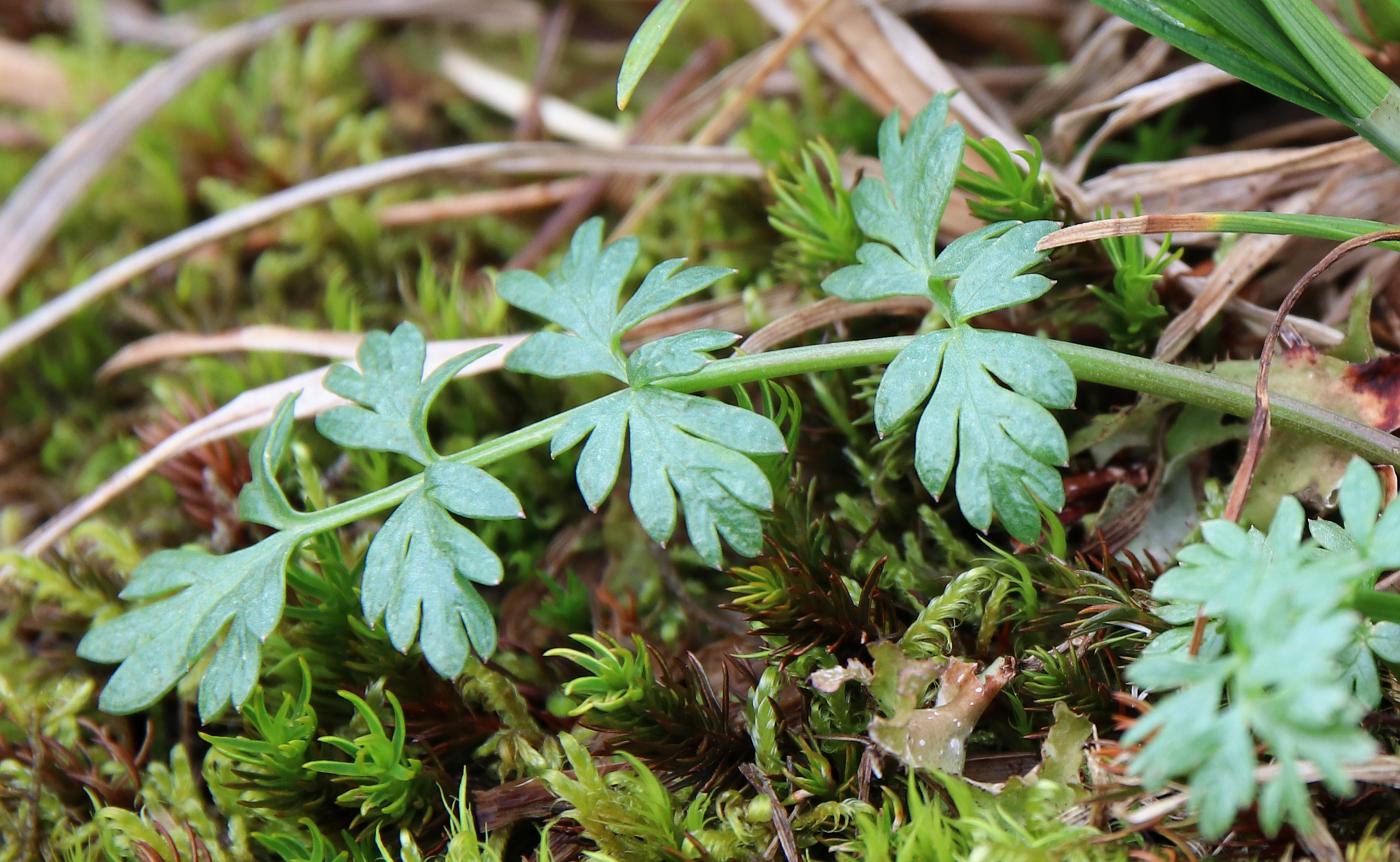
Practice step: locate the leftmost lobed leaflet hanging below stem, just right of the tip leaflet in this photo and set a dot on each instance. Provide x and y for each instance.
(422, 565)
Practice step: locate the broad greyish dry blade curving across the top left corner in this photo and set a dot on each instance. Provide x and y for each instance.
(44, 198)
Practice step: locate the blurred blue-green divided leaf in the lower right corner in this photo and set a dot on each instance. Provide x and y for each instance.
(1286, 663)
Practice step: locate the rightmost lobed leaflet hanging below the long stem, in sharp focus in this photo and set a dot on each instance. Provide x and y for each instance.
(1004, 441)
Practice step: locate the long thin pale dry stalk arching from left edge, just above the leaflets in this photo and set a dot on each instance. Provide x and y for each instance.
(502, 157)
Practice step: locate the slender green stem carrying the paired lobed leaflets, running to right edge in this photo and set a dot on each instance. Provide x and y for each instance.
(1088, 365)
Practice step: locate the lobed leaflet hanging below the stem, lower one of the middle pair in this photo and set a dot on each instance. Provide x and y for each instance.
(682, 446)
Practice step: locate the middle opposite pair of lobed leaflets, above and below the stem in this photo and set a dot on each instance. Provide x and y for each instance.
(682, 446)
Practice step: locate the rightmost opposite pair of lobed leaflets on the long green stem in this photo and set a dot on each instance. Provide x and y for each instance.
(985, 394)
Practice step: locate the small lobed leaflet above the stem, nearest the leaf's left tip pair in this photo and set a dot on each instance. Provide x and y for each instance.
(391, 393)
